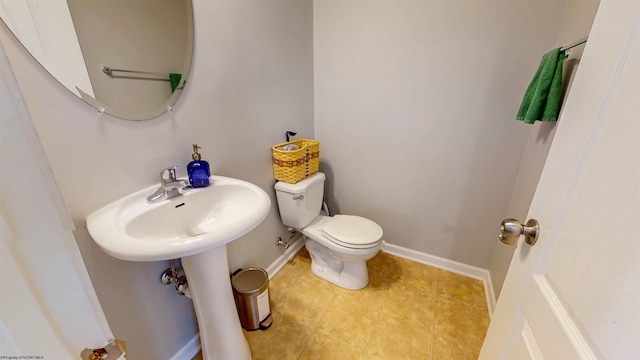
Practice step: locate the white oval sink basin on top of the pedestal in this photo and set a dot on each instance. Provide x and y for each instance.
(201, 219)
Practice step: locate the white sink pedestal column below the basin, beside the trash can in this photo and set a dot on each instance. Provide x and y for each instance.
(210, 286)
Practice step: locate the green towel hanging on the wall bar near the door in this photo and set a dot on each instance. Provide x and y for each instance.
(542, 99)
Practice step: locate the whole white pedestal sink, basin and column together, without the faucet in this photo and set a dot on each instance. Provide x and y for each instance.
(196, 227)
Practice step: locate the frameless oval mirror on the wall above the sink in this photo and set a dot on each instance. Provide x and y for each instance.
(127, 58)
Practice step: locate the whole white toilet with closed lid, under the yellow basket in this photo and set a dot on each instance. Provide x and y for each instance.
(340, 245)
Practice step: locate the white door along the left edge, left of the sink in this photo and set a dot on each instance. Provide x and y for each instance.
(48, 307)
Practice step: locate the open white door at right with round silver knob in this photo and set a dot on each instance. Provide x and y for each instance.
(575, 294)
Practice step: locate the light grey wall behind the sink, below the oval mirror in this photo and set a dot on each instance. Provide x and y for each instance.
(251, 80)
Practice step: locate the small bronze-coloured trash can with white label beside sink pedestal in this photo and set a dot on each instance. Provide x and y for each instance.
(251, 293)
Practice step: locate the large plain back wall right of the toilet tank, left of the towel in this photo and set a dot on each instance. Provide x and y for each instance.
(415, 104)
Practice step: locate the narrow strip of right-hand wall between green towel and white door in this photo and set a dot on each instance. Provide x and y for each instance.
(577, 18)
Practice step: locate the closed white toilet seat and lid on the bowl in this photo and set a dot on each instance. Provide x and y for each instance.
(352, 231)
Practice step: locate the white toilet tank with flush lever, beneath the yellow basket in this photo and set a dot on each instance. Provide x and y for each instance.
(300, 203)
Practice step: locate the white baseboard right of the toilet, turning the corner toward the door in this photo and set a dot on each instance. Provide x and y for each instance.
(449, 265)
